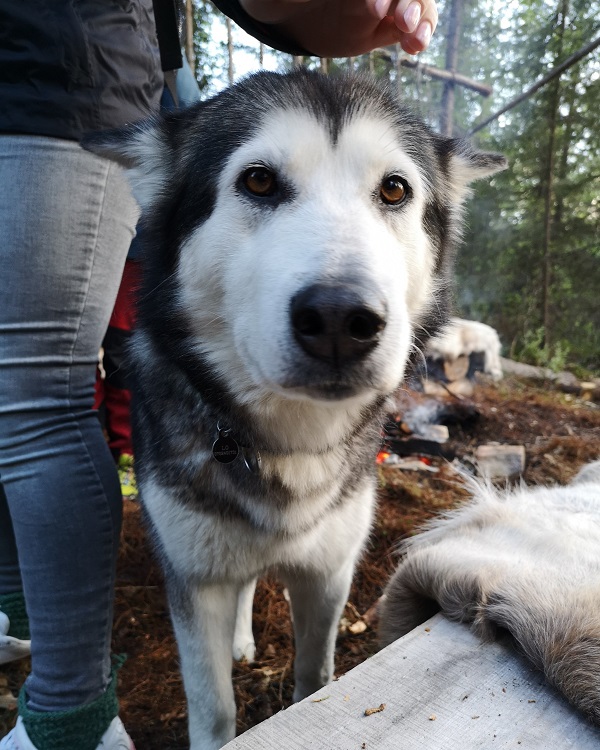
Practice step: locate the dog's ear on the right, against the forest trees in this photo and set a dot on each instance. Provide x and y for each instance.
(465, 165)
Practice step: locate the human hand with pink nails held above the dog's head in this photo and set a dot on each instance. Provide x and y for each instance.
(342, 28)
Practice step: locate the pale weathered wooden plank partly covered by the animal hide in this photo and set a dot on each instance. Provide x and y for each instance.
(442, 689)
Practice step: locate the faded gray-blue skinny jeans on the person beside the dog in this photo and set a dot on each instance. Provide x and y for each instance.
(66, 221)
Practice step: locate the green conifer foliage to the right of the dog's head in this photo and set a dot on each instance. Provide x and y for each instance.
(500, 277)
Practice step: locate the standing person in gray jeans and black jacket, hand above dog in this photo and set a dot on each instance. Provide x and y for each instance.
(67, 219)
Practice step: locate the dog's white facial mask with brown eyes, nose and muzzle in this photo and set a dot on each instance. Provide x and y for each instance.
(321, 257)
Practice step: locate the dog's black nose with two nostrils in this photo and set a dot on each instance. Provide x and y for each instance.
(335, 324)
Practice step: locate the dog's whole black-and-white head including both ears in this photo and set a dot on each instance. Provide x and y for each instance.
(308, 221)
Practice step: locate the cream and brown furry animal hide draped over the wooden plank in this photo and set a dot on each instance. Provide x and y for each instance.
(526, 561)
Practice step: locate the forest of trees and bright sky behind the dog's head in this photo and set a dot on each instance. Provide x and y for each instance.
(530, 261)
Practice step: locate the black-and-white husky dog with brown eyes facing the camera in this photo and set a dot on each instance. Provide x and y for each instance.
(299, 234)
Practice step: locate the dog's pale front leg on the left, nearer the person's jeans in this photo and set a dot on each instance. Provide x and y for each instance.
(204, 620)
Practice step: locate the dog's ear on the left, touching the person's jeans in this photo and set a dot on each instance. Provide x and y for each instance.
(141, 149)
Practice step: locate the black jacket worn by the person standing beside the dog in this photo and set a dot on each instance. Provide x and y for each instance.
(72, 66)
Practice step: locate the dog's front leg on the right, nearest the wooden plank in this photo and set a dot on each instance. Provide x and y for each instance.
(317, 605)
